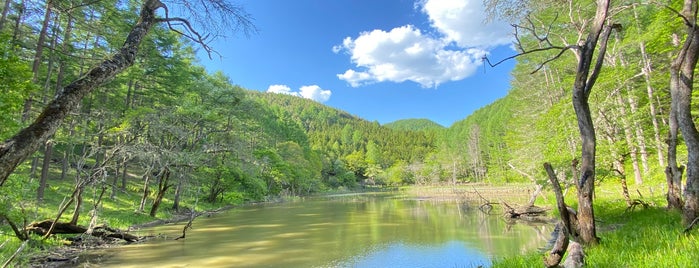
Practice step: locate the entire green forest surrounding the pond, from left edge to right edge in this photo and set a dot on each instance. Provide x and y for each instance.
(164, 129)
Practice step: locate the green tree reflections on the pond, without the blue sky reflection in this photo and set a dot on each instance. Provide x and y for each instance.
(293, 234)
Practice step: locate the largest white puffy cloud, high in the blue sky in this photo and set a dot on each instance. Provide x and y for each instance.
(406, 54)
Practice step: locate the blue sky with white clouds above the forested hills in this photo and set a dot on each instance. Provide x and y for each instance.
(381, 60)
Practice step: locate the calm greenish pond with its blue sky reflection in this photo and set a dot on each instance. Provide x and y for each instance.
(359, 230)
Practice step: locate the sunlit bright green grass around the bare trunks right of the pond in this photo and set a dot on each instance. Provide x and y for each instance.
(643, 237)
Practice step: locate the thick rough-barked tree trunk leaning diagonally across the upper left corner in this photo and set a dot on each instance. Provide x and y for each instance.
(16, 149)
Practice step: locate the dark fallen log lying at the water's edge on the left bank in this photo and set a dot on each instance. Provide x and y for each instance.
(42, 227)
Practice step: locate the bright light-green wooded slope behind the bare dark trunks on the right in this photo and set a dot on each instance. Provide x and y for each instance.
(535, 122)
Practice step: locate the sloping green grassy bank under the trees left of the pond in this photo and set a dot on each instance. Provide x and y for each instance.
(119, 212)
